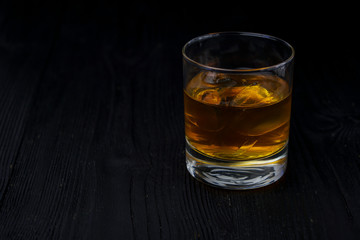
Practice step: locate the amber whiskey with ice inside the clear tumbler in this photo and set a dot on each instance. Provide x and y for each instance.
(237, 117)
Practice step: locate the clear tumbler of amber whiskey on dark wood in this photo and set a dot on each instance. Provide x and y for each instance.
(237, 102)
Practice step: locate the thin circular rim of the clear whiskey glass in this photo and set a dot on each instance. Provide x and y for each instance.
(247, 70)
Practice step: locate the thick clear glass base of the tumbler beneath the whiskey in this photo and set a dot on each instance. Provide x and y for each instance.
(236, 175)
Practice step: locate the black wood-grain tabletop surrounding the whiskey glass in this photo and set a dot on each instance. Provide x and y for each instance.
(91, 123)
